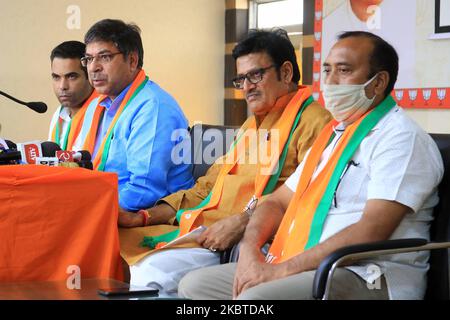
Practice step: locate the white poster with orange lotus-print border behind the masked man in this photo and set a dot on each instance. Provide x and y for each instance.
(424, 68)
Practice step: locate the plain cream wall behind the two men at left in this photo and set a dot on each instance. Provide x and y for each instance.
(183, 44)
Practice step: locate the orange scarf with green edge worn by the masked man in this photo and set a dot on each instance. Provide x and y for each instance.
(303, 221)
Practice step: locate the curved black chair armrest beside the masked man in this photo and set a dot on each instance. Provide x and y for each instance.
(326, 268)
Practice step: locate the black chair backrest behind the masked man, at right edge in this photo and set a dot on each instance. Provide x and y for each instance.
(438, 275)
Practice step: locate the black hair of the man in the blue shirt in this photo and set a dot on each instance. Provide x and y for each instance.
(126, 37)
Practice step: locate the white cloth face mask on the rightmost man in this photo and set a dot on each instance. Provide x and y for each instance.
(347, 102)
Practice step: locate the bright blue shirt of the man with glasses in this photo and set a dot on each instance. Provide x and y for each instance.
(141, 146)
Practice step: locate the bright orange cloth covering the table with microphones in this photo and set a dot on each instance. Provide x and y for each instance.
(54, 218)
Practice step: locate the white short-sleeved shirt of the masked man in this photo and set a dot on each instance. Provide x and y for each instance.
(386, 166)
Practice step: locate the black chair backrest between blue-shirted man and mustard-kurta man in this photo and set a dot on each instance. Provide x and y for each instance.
(208, 142)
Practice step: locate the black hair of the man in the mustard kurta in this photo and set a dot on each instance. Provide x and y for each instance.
(275, 43)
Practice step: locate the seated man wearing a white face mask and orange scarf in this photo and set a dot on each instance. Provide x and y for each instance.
(371, 175)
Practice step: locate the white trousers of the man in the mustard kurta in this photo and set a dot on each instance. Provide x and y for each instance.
(164, 270)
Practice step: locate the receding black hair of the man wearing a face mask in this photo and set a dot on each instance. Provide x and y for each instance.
(382, 58)
